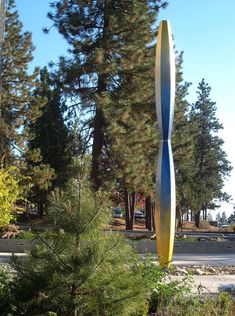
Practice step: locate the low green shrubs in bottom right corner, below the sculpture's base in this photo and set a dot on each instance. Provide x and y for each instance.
(174, 298)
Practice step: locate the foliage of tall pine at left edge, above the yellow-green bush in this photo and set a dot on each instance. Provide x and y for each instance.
(20, 107)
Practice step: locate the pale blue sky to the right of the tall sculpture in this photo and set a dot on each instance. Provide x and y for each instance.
(205, 30)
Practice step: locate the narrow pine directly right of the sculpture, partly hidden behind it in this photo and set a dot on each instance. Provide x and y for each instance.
(182, 145)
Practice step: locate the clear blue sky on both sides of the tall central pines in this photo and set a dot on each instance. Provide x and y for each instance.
(203, 29)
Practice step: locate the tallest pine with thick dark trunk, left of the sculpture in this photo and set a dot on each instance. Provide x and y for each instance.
(108, 48)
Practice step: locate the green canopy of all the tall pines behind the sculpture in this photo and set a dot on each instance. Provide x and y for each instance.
(99, 103)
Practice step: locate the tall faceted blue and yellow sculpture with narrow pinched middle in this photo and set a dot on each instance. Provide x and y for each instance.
(165, 179)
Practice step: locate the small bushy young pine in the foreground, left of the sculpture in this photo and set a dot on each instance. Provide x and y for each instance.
(79, 268)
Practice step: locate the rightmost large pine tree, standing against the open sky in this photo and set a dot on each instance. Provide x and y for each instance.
(212, 166)
